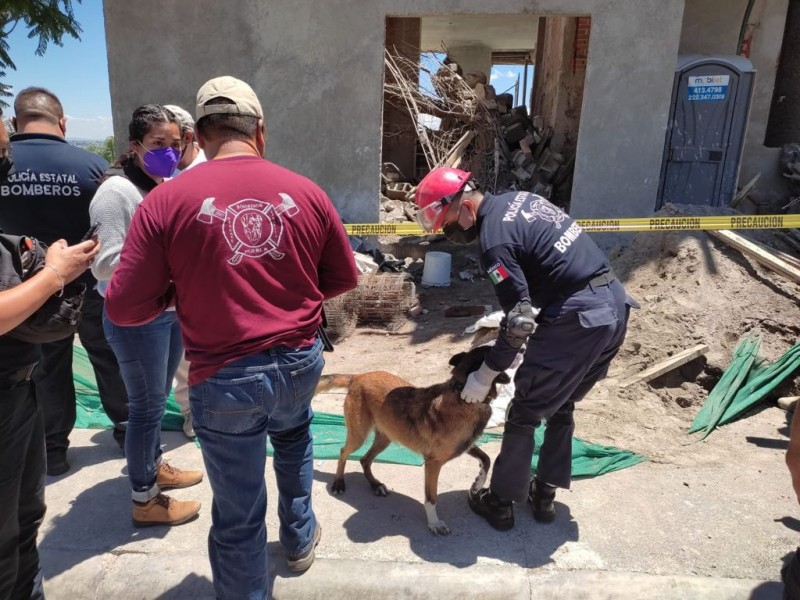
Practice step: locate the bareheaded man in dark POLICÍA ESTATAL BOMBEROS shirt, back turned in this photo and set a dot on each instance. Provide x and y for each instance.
(48, 198)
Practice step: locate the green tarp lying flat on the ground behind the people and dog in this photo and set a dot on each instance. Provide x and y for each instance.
(329, 432)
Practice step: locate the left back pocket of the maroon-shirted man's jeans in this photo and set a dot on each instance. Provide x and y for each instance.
(233, 405)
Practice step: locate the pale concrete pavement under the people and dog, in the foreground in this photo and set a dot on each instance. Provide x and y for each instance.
(651, 531)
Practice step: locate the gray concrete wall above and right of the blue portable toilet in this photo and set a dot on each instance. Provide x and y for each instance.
(712, 27)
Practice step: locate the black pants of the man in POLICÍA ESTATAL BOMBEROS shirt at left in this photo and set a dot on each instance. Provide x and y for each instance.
(55, 388)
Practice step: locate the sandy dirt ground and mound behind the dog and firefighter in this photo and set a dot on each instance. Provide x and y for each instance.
(693, 289)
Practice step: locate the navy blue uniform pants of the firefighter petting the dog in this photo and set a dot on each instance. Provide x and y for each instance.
(567, 354)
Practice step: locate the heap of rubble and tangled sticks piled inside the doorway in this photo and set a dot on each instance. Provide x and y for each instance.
(461, 122)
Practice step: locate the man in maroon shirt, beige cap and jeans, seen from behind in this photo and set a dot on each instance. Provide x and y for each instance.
(247, 251)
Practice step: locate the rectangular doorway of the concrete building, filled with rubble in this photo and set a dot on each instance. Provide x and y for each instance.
(515, 82)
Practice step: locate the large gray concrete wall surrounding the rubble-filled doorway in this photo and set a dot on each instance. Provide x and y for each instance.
(318, 68)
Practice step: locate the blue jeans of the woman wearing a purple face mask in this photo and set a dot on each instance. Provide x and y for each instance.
(148, 356)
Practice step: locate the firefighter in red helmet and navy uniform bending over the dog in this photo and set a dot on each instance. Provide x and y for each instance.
(537, 257)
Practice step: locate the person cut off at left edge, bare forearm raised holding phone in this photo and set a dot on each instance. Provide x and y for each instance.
(22, 457)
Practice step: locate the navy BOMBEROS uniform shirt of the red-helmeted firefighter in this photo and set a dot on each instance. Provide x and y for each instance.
(532, 250)
